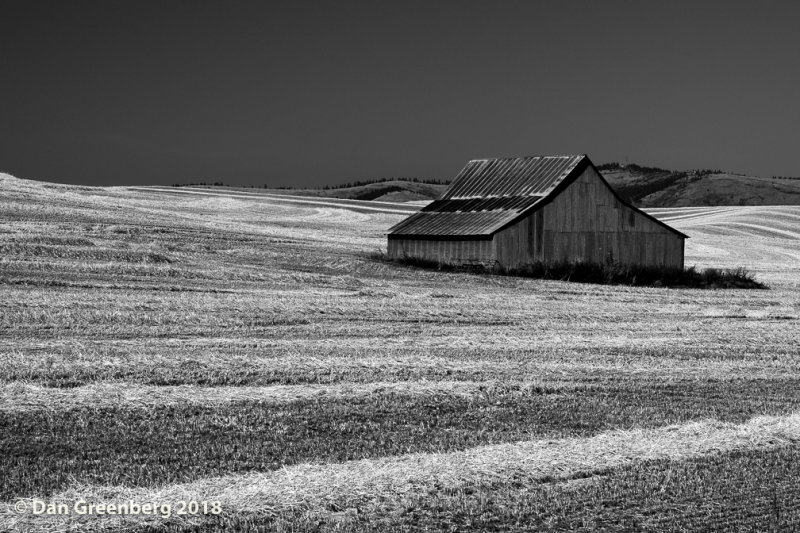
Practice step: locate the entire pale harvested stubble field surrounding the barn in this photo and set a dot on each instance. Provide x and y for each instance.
(162, 345)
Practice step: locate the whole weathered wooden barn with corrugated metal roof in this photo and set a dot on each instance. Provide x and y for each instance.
(514, 212)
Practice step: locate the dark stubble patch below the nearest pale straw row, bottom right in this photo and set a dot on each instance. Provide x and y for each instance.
(743, 490)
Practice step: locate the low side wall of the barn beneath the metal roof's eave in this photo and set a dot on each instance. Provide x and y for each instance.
(451, 252)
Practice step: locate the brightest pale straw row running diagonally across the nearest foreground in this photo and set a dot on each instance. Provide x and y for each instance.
(311, 490)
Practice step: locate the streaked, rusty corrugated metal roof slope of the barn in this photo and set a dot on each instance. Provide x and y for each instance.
(488, 194)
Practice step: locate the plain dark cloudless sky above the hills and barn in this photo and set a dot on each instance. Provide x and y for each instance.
(309, 93)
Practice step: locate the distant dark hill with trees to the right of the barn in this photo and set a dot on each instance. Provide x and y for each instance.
(656, 187)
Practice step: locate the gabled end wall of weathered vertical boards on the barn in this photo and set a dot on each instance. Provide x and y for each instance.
(586, 222)
